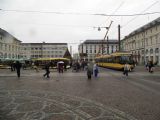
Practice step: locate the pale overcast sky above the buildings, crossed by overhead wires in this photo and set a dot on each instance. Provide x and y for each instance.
(72, 28)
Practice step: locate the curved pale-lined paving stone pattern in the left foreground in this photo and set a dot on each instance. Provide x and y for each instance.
(42, 105)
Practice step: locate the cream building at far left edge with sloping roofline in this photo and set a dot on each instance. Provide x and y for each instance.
(9, 46)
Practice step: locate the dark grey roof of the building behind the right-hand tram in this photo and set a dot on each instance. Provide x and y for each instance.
(99, 41)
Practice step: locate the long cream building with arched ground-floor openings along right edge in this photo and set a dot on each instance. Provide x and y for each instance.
(144, 43)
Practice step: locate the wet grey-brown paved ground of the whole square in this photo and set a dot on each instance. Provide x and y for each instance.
(70, 96)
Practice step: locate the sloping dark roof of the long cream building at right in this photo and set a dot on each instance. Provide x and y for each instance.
(145, 27)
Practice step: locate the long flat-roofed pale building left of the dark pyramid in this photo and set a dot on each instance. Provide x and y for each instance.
(43, 50)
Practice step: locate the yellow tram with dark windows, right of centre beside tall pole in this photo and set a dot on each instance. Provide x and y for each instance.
(115, 60)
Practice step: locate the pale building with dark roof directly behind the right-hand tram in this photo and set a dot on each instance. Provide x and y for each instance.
(89, 49)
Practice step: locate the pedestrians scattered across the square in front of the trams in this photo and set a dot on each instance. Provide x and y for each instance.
(90, 67)
